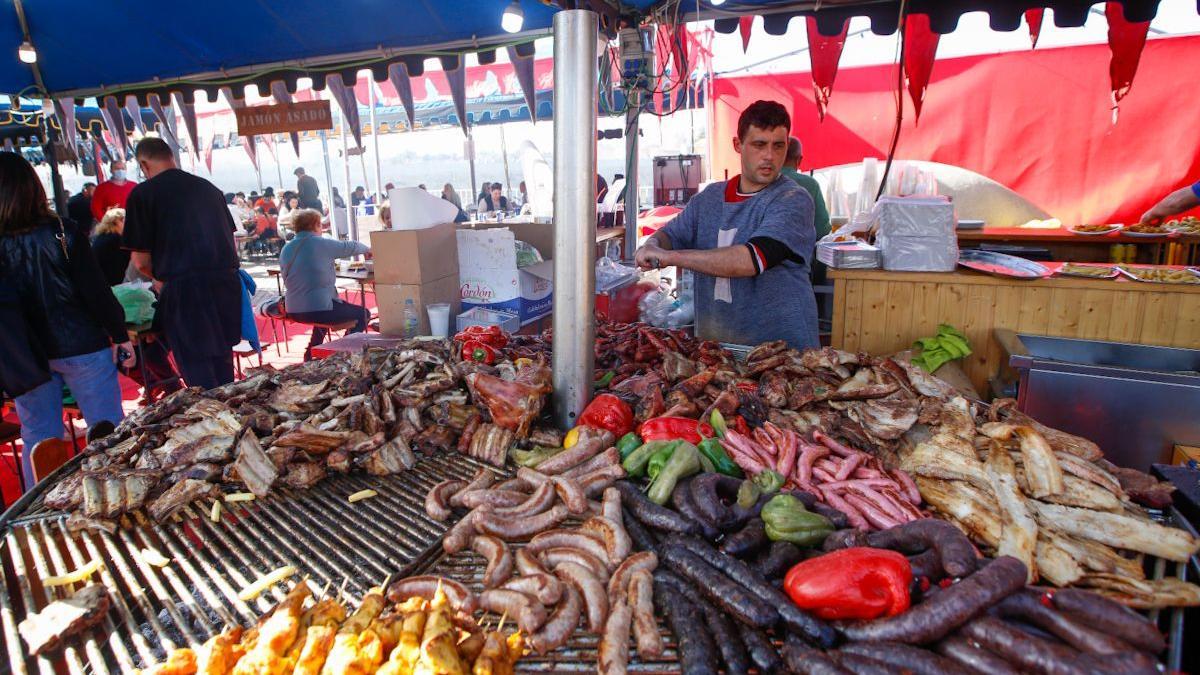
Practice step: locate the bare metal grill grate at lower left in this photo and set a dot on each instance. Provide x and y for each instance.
(155, 611)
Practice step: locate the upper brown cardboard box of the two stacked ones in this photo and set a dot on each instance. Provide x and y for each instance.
(415, 256)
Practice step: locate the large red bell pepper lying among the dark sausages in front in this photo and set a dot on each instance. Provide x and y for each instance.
(859, 583)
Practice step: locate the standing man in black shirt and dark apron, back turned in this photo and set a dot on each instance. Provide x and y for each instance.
(182, 237)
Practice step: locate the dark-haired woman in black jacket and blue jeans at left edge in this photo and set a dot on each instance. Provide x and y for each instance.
(75, 326)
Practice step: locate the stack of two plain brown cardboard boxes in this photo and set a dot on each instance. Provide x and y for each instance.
(422, 265)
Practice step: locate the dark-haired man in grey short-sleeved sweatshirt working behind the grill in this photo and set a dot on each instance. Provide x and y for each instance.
(749, 242)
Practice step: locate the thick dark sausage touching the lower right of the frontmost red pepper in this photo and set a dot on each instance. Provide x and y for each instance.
(946, 611)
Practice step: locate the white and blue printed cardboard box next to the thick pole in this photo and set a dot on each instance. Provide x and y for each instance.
(490, 277)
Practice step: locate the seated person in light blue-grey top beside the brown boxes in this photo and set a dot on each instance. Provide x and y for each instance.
(310, 286)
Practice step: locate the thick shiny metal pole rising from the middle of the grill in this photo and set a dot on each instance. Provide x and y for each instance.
(575, 212)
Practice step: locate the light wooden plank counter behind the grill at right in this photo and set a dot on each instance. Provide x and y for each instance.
(881, 312)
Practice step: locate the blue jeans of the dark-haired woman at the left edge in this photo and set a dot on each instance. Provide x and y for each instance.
(93, 383)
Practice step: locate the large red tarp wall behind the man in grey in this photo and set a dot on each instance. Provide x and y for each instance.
(1036, 122)
